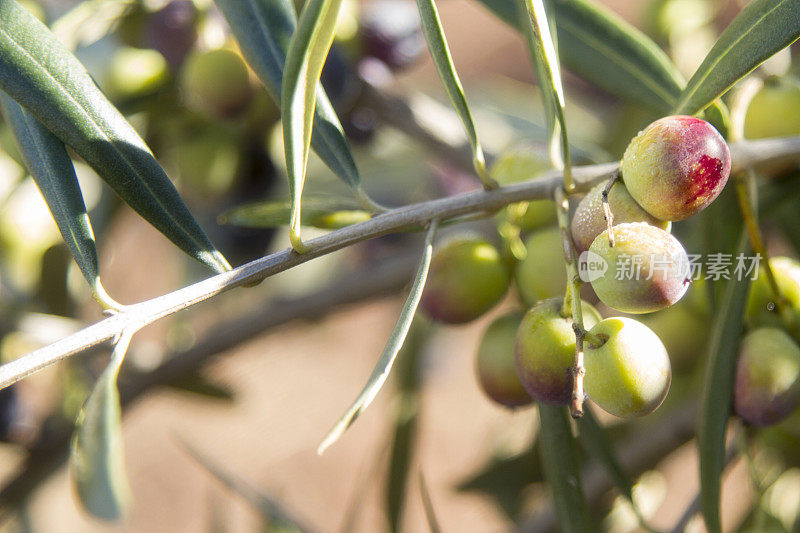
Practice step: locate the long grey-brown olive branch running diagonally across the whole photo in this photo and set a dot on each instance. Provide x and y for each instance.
(411, 217)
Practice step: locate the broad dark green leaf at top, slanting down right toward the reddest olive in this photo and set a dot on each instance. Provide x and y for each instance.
(605, 50)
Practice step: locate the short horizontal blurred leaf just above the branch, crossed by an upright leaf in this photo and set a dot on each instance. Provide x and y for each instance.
(324, 212)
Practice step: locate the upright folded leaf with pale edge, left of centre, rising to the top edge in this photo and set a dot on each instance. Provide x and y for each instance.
(308, 49)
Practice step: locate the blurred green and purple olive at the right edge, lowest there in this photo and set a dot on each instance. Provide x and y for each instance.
(767, 386)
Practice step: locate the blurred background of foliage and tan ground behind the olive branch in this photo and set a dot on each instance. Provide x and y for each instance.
(264, 372)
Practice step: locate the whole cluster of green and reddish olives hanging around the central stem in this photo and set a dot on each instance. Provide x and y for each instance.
(670, 171)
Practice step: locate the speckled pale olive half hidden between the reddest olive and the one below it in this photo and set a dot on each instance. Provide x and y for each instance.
(589, 218)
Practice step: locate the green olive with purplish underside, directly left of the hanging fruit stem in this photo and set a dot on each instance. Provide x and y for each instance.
(545, 350)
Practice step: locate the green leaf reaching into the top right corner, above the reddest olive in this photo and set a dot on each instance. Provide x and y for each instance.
(763, 28)
